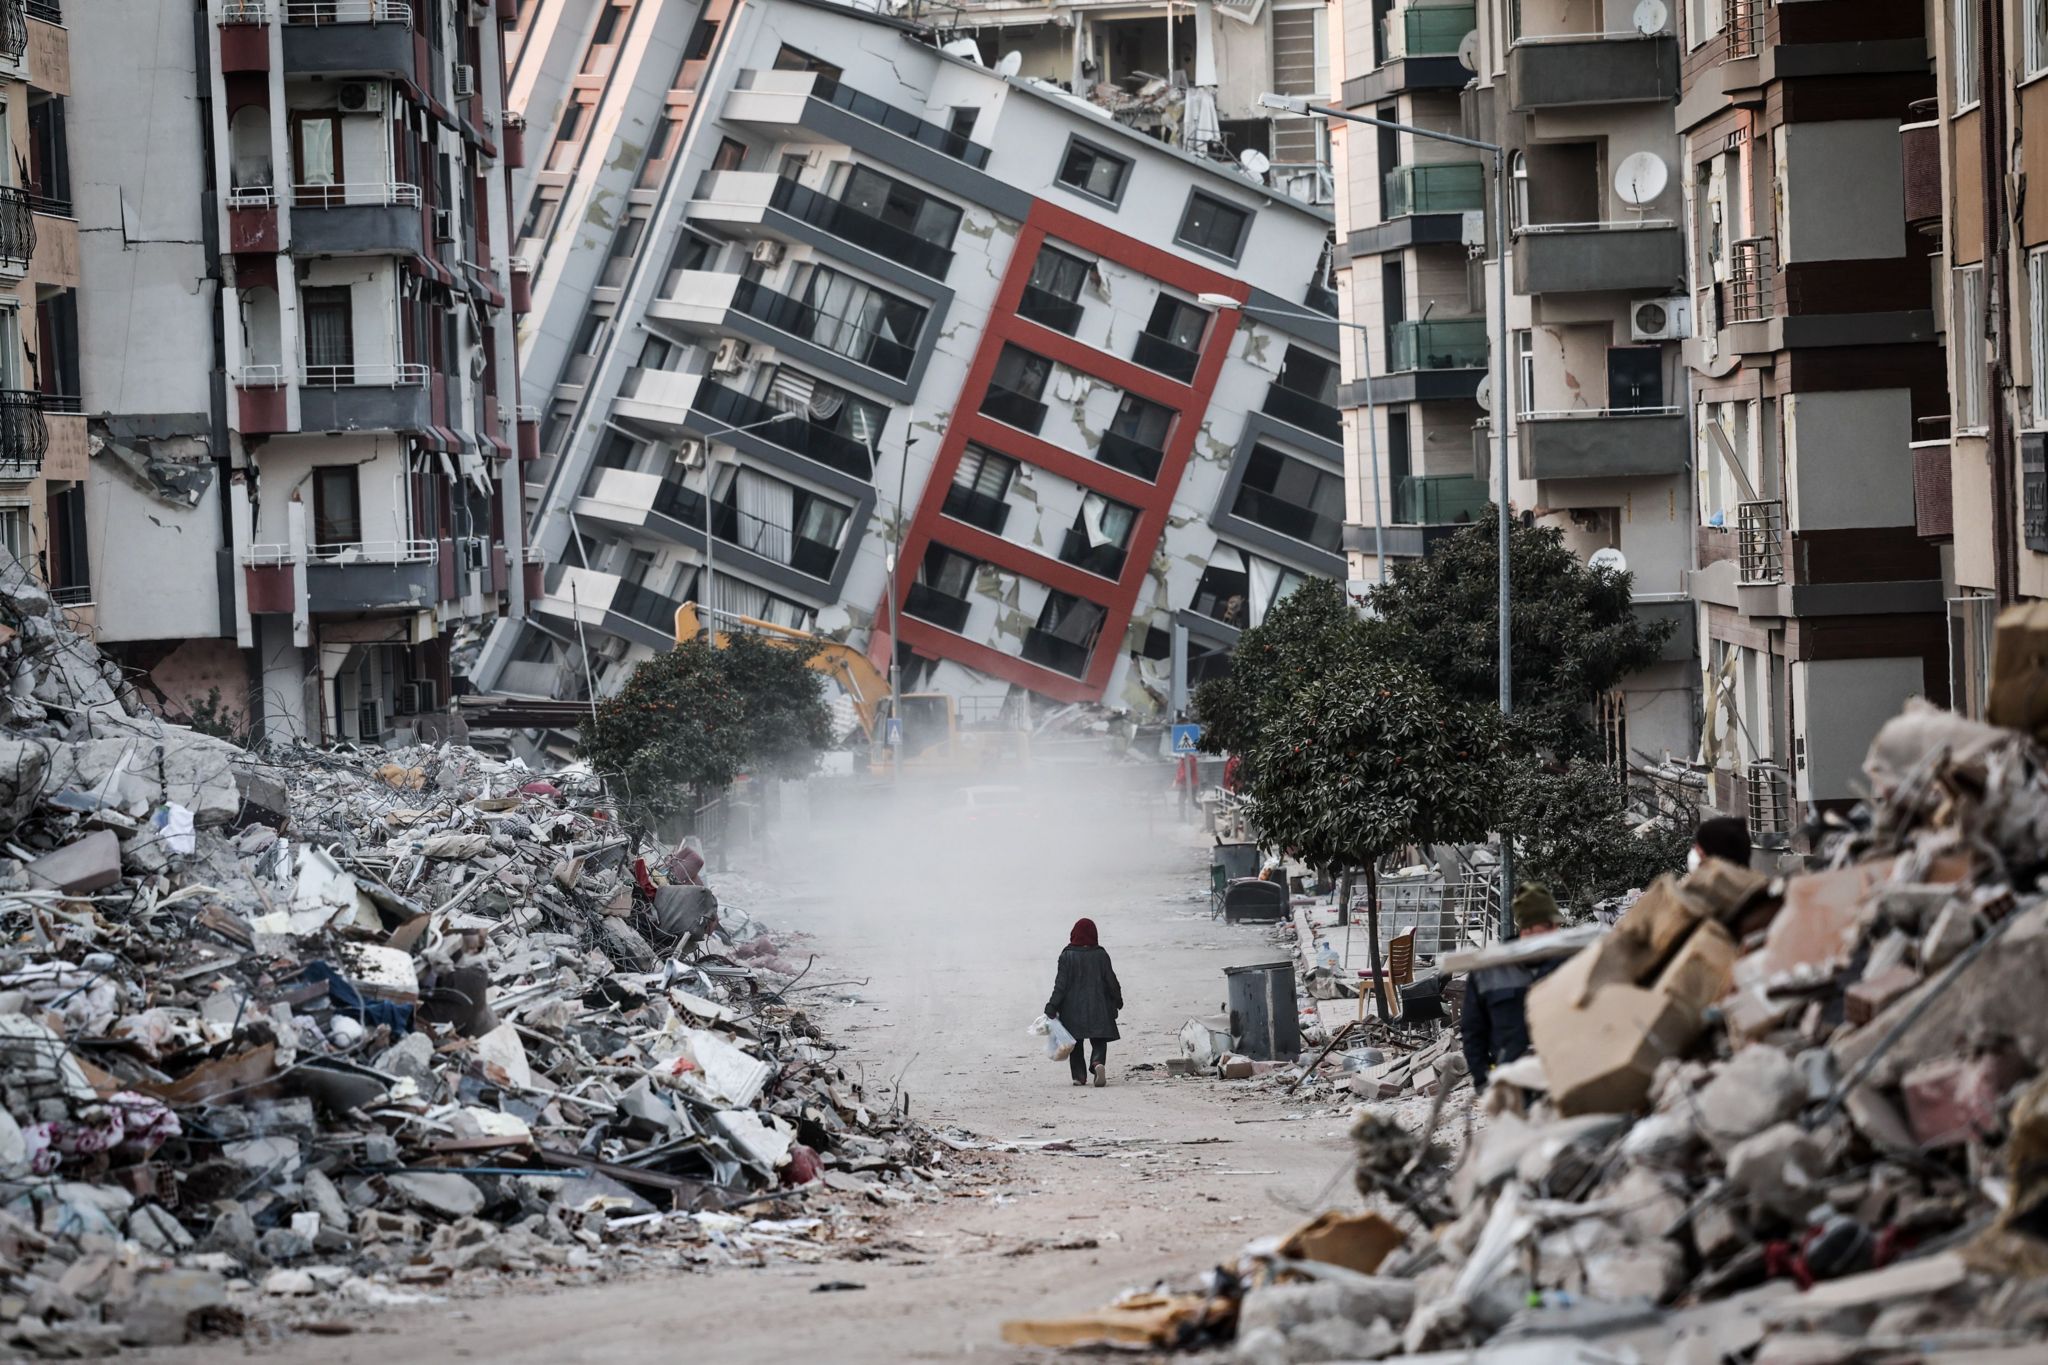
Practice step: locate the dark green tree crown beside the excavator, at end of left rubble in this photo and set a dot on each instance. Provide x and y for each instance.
(689, 721)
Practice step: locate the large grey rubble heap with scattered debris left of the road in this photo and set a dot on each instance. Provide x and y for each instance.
(284, 1032)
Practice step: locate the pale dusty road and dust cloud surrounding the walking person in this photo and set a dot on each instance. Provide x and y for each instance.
(957, 953)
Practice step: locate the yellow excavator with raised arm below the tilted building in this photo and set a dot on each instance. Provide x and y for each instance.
(933, 736)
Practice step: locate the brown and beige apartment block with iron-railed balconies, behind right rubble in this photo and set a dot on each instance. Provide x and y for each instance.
(1816, 369)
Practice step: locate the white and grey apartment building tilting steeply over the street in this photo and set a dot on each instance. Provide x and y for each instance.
(859, 294)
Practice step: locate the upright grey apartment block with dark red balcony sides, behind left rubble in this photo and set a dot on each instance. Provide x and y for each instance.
(298, 353)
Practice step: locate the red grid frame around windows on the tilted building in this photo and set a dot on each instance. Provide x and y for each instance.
(1152, 500)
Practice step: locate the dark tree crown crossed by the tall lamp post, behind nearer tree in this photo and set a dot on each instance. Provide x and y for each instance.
(1576, 633)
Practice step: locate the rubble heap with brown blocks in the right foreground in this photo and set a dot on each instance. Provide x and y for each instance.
(1775, 1120)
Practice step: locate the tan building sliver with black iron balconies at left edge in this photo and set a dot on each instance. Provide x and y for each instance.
(42, 433)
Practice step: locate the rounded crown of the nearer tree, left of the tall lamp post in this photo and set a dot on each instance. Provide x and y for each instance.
(1367, 758)
